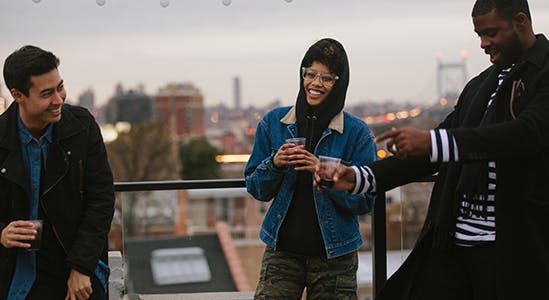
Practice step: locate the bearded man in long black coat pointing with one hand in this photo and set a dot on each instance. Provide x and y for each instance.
(486, 234)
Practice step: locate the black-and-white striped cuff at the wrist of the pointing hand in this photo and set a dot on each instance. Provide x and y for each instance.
(443, 146)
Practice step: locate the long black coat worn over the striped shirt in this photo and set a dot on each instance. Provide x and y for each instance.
(520, 148)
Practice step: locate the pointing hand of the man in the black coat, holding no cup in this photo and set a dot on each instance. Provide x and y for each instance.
(407, 141)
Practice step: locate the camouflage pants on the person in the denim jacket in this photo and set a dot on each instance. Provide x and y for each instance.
(284, 275)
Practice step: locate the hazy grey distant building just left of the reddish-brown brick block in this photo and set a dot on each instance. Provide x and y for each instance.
(131, 107)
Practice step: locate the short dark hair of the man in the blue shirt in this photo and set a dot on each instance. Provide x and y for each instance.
(26, 62)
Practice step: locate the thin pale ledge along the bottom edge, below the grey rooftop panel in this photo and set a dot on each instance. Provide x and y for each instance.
(197, 296)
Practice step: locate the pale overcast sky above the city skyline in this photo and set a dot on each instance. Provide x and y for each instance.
(391, 43)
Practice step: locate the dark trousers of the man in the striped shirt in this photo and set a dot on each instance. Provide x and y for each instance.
(460, 273)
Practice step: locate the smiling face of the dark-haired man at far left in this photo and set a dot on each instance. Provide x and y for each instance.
(43, 105)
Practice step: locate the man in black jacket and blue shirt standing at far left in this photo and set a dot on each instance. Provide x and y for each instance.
(53, 167)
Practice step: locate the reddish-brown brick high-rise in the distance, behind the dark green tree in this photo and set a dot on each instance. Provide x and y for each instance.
(180, 109)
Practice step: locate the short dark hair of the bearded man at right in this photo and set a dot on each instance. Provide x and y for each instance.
(506, 9)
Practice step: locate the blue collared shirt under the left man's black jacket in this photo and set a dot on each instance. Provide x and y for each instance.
(35, 153)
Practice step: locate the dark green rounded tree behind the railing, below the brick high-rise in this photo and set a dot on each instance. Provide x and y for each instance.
(197, 159)
